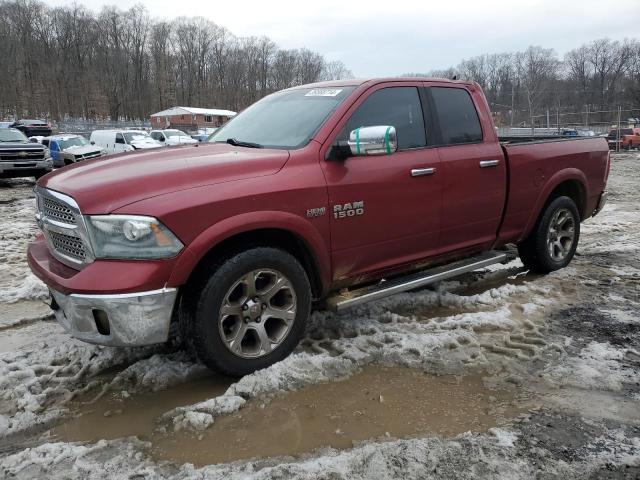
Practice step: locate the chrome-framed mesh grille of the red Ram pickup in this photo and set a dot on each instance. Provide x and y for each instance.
(63, 226)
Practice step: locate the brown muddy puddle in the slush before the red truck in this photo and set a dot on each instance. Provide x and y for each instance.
(378, 401)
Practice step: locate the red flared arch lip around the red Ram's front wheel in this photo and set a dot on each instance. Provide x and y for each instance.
(246, 222)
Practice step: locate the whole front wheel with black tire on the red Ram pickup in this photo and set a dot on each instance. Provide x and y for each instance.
(270, 317)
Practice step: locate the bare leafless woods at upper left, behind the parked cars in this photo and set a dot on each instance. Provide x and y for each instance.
(72, 62)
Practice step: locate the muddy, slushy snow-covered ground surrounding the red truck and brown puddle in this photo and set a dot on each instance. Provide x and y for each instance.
(539, 332)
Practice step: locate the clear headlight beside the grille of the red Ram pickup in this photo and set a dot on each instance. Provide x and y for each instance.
(131, 236)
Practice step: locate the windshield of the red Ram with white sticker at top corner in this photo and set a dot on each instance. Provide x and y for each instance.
(287, 119)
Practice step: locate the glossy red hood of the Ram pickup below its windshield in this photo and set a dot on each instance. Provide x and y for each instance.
(104, 185)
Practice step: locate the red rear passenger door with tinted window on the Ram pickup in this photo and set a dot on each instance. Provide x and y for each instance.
(473, 169)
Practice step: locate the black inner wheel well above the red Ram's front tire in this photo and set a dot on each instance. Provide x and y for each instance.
(271, 237)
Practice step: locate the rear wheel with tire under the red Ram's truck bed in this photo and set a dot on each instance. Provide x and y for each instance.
(554, 239)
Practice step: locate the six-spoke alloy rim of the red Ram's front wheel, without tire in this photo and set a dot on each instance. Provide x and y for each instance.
(257, 313)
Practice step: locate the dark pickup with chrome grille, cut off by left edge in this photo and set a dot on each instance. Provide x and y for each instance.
(21, 158)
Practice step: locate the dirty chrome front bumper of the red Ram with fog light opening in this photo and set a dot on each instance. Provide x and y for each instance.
(129, 319)
